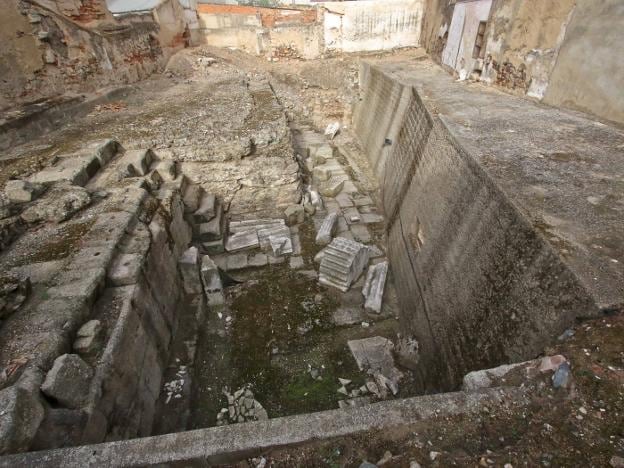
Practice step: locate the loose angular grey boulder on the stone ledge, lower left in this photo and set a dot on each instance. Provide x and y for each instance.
(68, 381)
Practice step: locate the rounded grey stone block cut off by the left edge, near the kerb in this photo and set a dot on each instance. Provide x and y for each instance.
(21, 413)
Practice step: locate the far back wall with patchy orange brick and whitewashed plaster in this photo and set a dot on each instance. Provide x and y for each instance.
(309, 32)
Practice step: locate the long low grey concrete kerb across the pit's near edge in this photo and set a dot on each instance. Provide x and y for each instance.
(236, 442)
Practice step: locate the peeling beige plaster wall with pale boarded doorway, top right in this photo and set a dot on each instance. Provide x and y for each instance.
(559, 51)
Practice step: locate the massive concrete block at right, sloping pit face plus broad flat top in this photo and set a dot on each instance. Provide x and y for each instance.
(525, 234)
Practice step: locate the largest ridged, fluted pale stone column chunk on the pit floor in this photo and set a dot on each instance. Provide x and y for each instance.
(342, 263)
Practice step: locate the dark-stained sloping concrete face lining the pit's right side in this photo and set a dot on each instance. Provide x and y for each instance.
(477, 286)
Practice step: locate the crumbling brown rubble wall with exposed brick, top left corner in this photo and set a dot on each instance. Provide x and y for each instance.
(50, 51)
